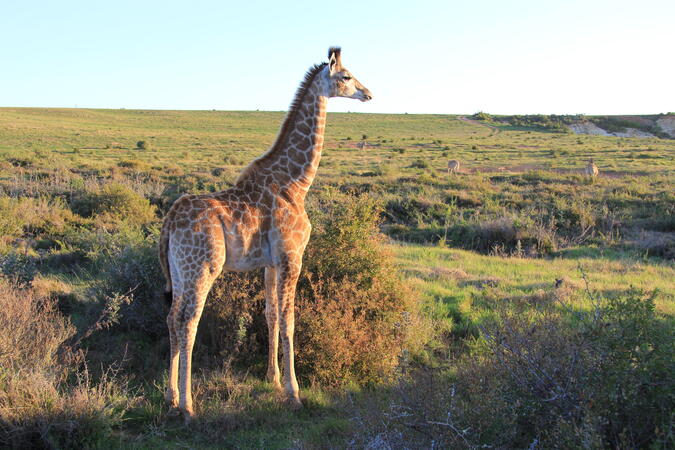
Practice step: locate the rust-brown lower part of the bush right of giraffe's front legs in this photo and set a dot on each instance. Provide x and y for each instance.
(349, 334)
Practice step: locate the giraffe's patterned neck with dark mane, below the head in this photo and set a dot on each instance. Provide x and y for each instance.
(294, 158)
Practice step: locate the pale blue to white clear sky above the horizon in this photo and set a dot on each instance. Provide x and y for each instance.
(416, 56)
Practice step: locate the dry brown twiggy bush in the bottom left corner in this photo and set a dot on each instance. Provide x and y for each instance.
(38, 408)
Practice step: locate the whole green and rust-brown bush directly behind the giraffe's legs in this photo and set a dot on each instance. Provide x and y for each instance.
(354, 315)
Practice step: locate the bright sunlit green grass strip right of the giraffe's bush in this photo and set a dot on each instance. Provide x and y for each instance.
(450, 279)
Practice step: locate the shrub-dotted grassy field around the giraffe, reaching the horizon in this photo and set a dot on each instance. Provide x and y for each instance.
(80, 206)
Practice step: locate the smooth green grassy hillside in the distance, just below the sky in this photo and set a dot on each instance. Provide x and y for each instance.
(199, 140)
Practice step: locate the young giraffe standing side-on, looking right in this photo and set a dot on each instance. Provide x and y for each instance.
(259, 222)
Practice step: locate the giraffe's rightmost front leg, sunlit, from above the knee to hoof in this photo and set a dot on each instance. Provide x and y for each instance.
(287, 278)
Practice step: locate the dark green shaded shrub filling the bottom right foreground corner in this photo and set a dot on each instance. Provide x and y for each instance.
(546, 375)
